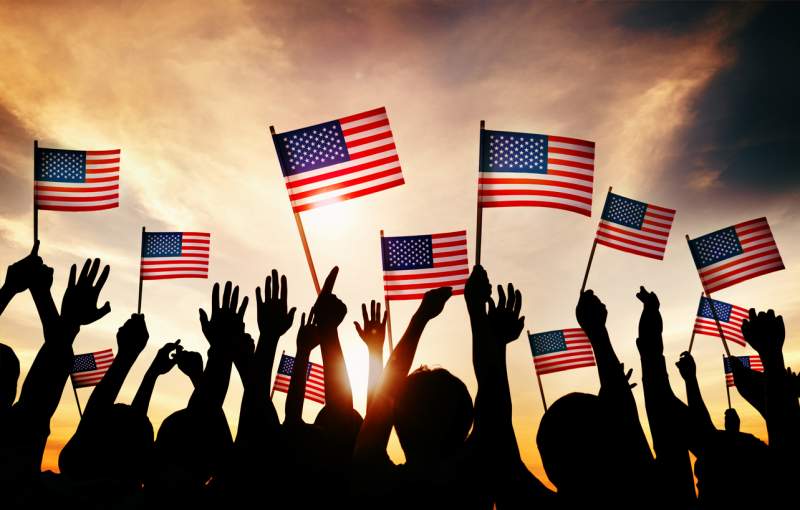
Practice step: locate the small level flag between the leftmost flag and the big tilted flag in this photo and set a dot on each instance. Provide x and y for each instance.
(175, 255)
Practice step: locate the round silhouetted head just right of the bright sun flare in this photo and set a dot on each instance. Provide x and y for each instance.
(433, 414)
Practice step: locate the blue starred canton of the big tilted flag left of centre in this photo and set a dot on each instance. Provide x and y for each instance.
(311, 148)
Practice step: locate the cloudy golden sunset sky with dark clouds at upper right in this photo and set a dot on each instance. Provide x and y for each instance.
(692, 107)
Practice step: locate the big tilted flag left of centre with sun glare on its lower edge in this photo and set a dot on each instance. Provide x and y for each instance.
(339, 160)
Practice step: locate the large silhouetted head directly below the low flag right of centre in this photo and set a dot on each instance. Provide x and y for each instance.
(577, 444)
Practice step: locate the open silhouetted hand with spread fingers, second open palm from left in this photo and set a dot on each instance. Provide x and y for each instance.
(225, 328)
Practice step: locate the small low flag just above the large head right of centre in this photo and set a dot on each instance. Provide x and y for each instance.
(554, 351)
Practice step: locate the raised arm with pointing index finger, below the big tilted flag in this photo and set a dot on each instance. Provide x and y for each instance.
(330, 311)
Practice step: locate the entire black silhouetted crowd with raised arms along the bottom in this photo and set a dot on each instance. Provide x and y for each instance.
(460, 452)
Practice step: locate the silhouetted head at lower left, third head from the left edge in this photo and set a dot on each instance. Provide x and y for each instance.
(190, 449)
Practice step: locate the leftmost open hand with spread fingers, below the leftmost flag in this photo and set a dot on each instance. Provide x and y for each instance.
(79, 305)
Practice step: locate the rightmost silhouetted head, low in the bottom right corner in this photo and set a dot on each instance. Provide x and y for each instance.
(734, 471)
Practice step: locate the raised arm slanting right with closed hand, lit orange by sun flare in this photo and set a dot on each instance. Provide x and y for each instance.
(374, 434)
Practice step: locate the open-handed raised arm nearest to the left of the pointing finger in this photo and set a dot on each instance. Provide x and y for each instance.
(258, 413)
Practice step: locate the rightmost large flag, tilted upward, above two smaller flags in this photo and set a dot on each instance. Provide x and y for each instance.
(735, 254)
